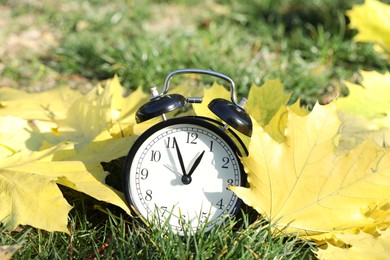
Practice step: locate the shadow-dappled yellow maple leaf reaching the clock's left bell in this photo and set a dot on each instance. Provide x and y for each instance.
(76, 117)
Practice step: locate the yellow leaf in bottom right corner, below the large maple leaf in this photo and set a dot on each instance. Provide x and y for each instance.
(359, 246)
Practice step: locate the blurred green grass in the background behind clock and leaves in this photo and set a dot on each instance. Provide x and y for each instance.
(307, 44)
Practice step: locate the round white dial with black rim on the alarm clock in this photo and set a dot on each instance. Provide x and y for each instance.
(181, 173)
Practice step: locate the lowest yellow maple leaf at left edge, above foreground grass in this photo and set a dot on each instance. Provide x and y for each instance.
(29, 198)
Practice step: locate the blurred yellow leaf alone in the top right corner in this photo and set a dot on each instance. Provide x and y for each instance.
(372, 22)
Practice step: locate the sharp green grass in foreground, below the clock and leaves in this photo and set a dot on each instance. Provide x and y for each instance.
(95, 234)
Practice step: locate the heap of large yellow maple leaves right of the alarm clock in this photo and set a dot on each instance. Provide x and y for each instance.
(318, 181)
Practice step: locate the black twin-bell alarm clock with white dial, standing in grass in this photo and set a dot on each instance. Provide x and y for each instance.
(178, 172)
